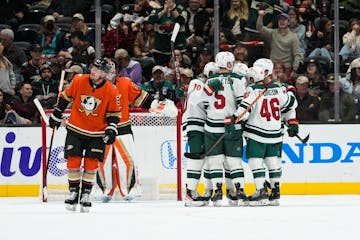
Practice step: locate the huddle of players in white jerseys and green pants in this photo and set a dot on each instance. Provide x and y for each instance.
(231, 101)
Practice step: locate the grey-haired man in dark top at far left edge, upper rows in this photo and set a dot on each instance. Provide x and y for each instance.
(13, 53)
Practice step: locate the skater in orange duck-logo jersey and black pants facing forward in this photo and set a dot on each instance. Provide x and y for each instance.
(92, 124)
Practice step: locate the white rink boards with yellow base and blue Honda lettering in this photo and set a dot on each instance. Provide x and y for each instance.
(327, 164)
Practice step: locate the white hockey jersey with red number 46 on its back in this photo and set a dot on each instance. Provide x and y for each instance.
(264, 119)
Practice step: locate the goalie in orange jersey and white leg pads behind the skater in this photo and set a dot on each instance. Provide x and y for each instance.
(120, 168)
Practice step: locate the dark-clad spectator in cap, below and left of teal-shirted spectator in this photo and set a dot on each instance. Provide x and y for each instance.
(30, 70)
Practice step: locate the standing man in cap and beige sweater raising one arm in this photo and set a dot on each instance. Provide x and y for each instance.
(285, 45)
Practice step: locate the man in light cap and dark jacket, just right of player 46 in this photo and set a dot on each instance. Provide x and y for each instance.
(308, 105)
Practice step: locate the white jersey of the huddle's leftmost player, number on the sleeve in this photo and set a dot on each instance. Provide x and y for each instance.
(194, 116)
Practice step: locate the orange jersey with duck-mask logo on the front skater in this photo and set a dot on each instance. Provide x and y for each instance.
(91, 106)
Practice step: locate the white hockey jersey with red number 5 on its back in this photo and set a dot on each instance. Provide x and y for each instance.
(224, 103)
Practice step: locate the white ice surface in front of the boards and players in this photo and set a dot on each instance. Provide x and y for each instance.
(298, 217)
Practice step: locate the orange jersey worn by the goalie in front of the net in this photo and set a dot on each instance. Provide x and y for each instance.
(131, 94)
